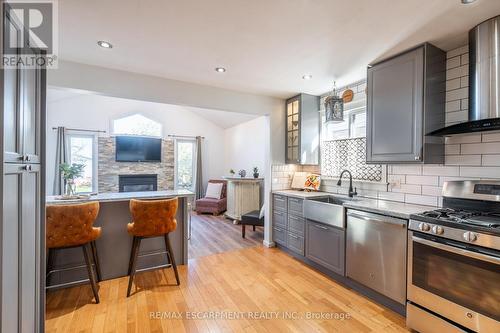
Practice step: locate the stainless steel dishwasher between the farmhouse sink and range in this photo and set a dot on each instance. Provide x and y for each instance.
(376, 253)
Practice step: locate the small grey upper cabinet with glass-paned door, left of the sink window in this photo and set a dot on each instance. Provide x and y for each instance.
(302, 130)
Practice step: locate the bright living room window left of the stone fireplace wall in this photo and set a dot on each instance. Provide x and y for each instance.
(82, 150)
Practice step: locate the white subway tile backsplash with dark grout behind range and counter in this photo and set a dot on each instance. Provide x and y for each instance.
(475, 156)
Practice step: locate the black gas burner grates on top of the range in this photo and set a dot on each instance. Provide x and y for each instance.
(485, 220)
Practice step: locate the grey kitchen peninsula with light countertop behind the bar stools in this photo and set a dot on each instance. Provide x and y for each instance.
(115, 243)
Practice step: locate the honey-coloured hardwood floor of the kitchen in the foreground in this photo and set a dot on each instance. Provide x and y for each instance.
(250, 282)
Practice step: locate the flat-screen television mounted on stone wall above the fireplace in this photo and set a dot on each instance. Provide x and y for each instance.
(138, 149)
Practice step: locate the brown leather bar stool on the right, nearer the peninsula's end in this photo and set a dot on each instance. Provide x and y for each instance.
(151, 218)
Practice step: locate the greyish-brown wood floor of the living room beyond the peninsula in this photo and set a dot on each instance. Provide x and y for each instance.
(215, 234)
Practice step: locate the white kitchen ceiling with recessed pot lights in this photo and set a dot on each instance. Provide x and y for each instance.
(266, 45)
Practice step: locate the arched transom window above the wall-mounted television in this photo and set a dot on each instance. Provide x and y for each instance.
(137, 125)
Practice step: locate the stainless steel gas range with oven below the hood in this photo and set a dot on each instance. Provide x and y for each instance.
(454, 261)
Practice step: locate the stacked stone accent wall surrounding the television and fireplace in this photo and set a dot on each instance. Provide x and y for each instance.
(109, 169)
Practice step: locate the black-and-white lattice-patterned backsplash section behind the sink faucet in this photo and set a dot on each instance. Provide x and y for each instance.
(350, 154)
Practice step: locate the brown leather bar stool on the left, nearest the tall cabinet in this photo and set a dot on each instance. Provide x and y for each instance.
(70, 226)
